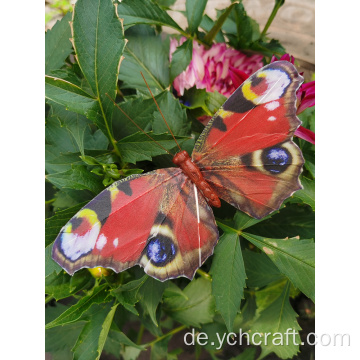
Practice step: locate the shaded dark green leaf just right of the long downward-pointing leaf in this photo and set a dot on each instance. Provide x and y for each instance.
(260, 270)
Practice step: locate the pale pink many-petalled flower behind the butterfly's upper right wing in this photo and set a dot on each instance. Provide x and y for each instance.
(210, 69)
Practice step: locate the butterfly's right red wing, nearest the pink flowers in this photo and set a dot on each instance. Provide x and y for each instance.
(246, 152)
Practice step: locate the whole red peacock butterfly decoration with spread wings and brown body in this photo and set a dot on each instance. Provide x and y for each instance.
(162, 220)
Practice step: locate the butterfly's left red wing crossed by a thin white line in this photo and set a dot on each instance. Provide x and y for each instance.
(149, 220)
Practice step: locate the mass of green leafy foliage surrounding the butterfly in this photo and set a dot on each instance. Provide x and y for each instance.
(258, 265)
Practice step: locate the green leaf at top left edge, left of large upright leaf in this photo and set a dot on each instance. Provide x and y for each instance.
(57, 44)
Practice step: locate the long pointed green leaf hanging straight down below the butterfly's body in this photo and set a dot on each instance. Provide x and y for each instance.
(228, 264)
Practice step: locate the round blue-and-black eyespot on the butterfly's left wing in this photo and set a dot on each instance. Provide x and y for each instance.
(161, 250)
